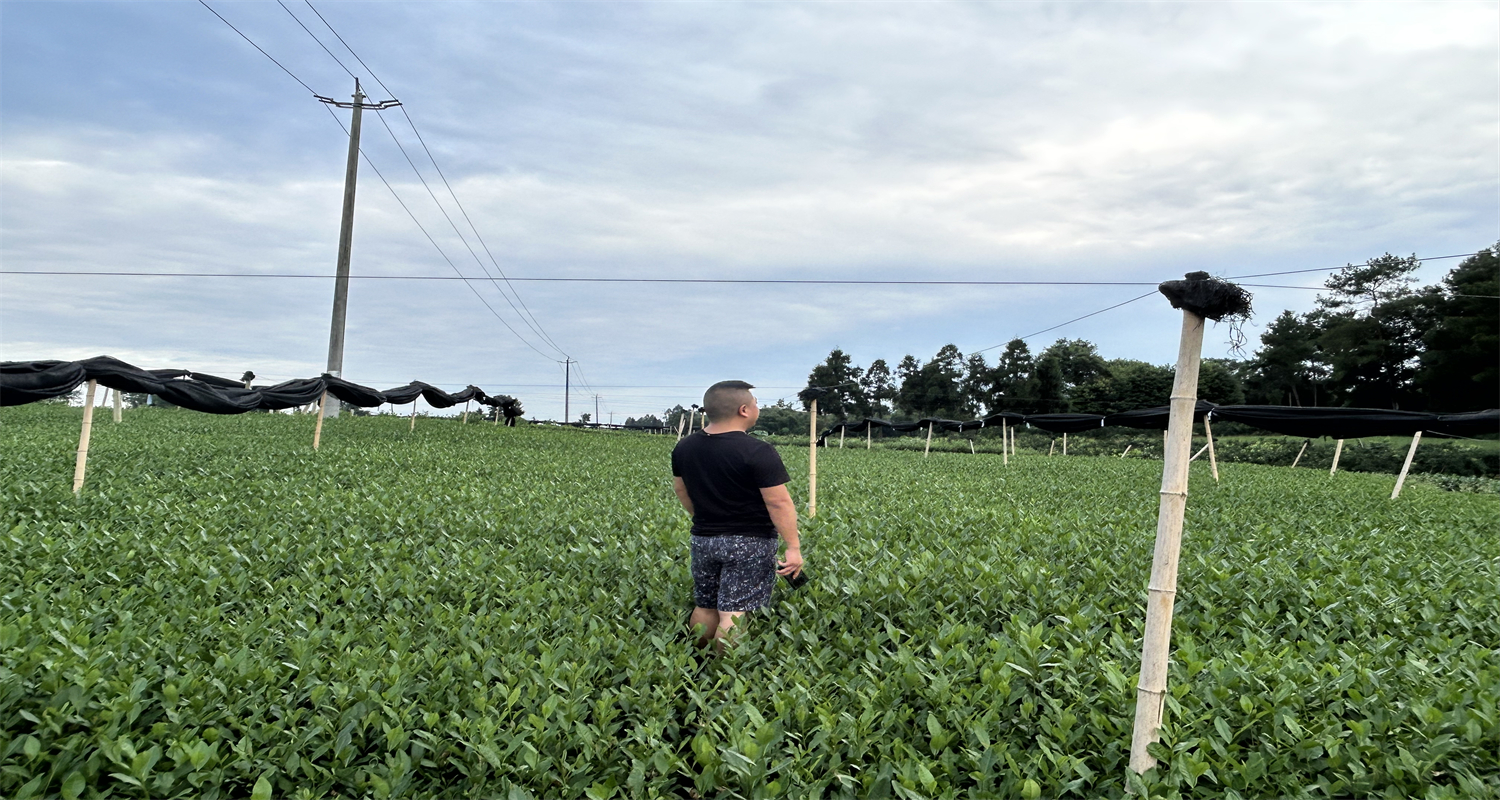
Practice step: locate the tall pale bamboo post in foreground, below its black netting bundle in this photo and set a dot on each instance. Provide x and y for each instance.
(1153, 690)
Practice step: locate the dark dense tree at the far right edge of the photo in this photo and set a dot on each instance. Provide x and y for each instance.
(1460, 370)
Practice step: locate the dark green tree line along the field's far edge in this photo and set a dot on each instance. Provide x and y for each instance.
(1375, 340)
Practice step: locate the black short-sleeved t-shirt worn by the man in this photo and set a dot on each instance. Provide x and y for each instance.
(724, 475)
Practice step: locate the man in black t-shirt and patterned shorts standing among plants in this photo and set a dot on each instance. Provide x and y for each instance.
(736, 489)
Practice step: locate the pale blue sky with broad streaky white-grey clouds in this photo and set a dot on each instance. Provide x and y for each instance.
(1120, 143)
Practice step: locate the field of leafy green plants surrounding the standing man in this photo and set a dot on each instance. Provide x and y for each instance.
(478, 612)
